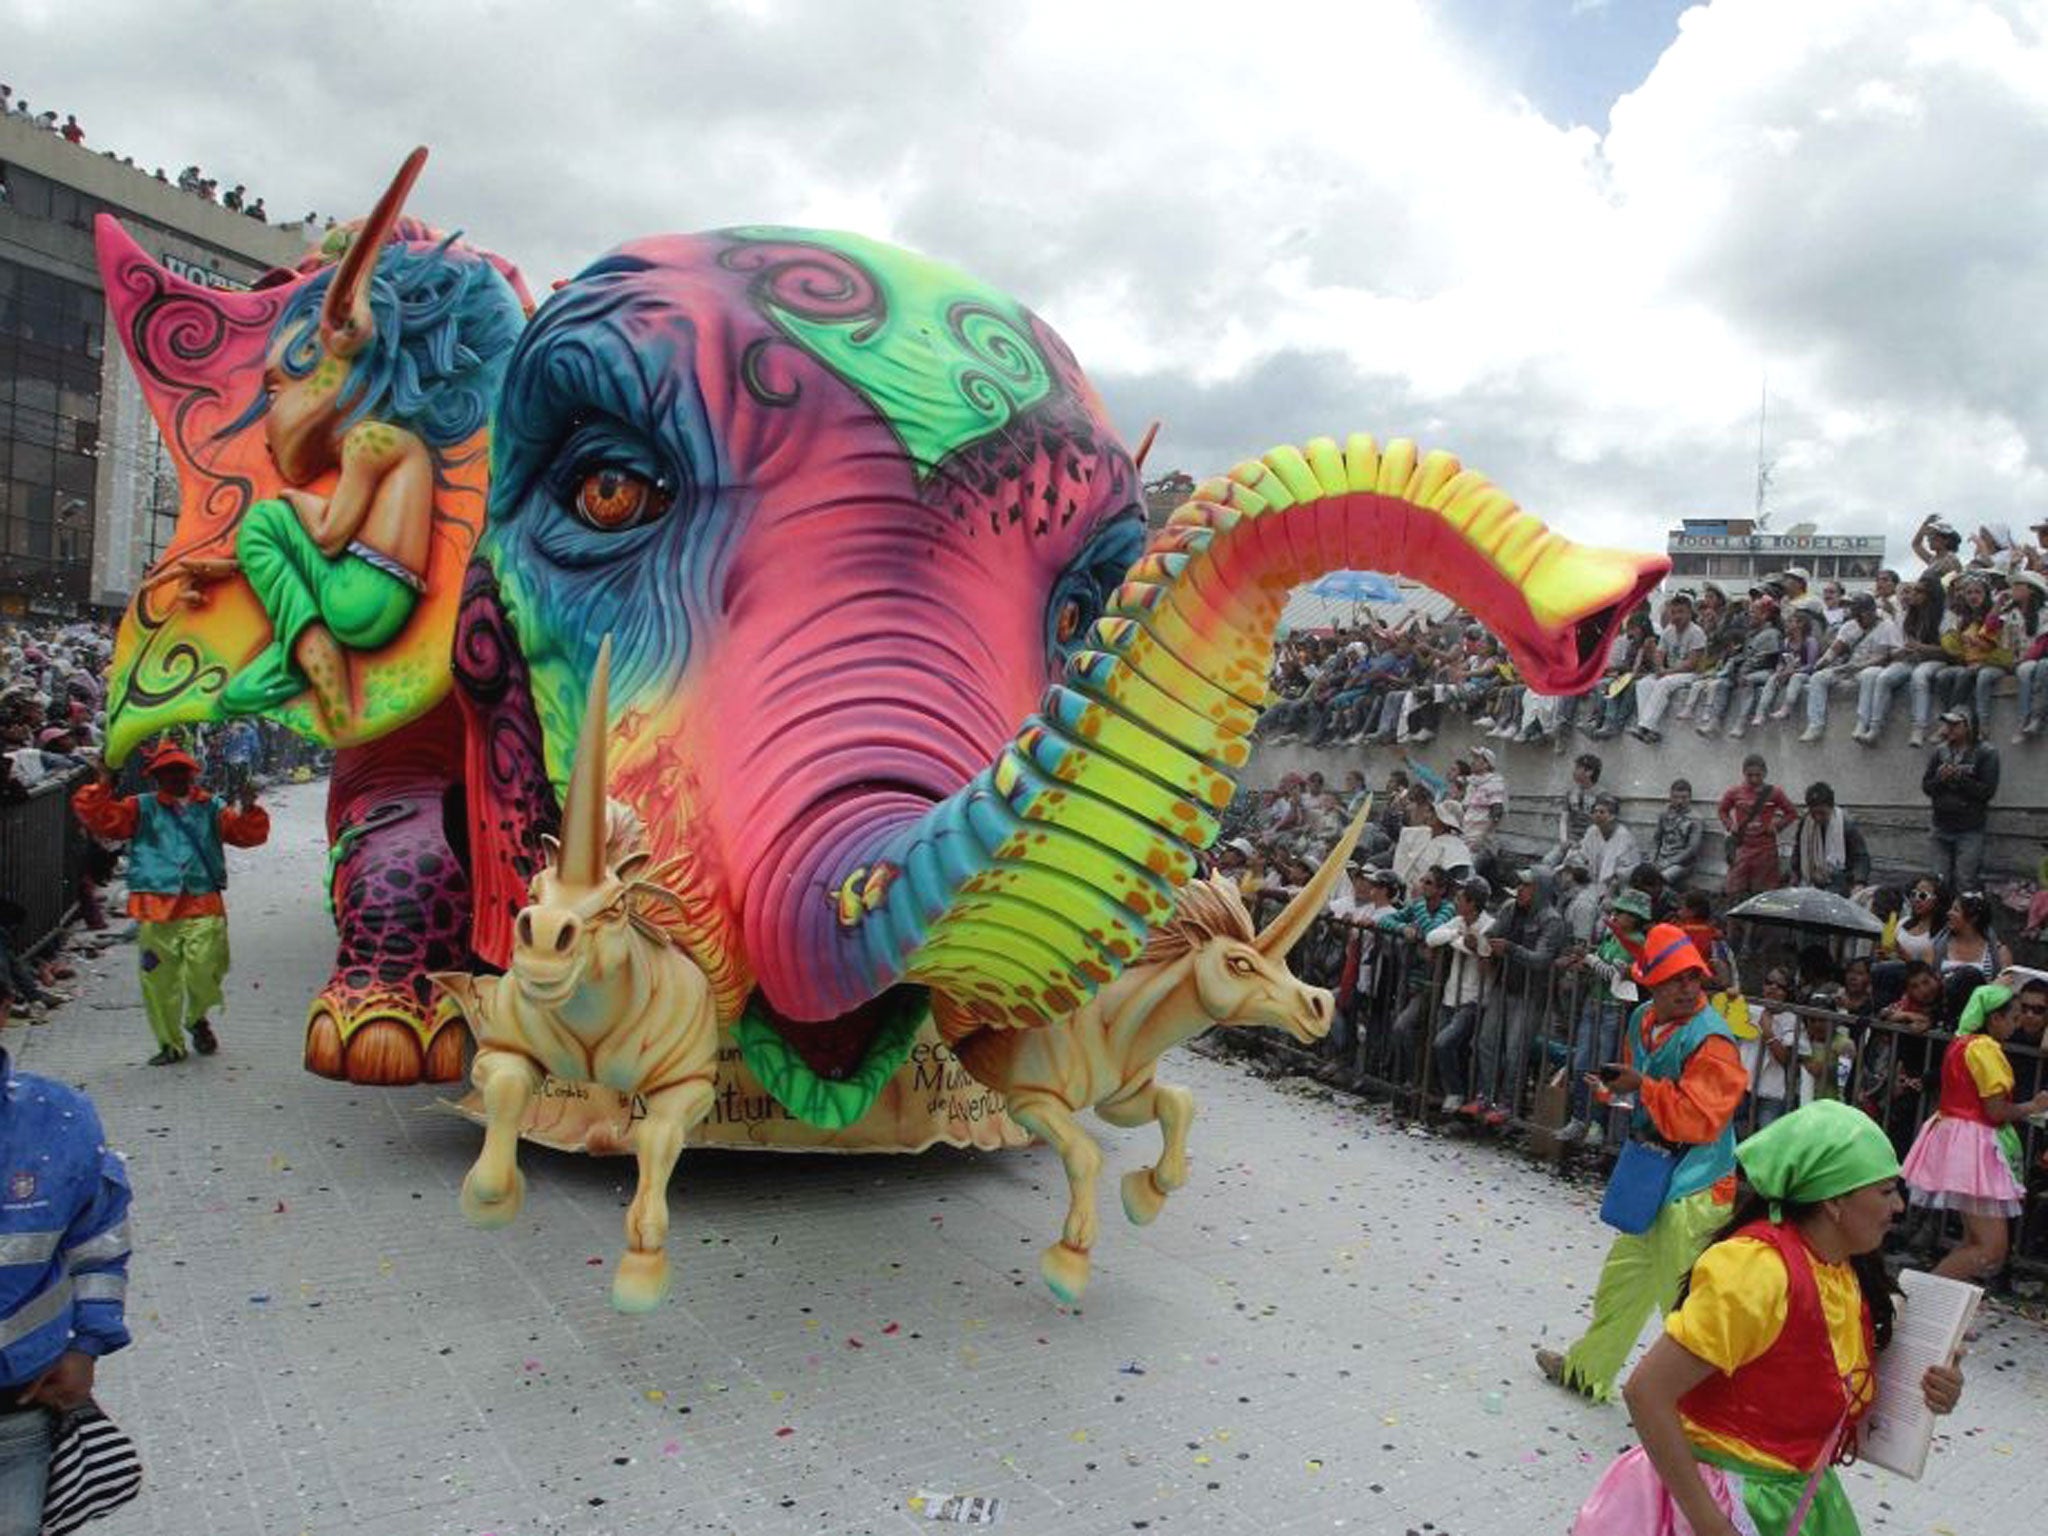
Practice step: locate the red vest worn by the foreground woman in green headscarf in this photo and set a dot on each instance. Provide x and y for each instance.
(1791, 1400)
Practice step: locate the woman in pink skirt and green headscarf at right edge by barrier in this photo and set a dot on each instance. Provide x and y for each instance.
(1957, 1162)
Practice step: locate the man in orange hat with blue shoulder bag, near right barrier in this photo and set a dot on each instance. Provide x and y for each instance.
(1689, 1082)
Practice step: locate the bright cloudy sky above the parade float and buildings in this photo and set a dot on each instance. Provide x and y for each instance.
(1564, 239)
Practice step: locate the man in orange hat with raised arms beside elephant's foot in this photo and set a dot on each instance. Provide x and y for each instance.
(177, 873)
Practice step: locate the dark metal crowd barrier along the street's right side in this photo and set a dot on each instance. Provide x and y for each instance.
(1392, 1015)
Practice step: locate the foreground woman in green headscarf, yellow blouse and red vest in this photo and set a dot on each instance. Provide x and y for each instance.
(1764, 1371)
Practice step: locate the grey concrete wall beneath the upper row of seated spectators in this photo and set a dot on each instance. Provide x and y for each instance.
(1879, 785)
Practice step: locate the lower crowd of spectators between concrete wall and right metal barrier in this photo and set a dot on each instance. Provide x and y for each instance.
(1490, 968)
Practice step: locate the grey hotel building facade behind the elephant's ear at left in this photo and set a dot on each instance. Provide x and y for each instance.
(87, 493)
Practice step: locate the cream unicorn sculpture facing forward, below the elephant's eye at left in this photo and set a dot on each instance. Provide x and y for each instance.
(599, 992)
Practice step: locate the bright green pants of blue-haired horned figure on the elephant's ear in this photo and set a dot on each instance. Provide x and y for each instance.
(361, 605)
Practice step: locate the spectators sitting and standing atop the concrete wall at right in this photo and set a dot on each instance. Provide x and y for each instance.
(1713, 660)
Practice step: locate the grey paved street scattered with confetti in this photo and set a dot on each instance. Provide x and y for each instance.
(1328, 1330)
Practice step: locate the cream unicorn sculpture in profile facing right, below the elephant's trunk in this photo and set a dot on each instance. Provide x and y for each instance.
(1203, 968)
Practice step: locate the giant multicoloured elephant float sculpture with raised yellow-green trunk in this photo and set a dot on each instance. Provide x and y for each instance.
(904, 689)
